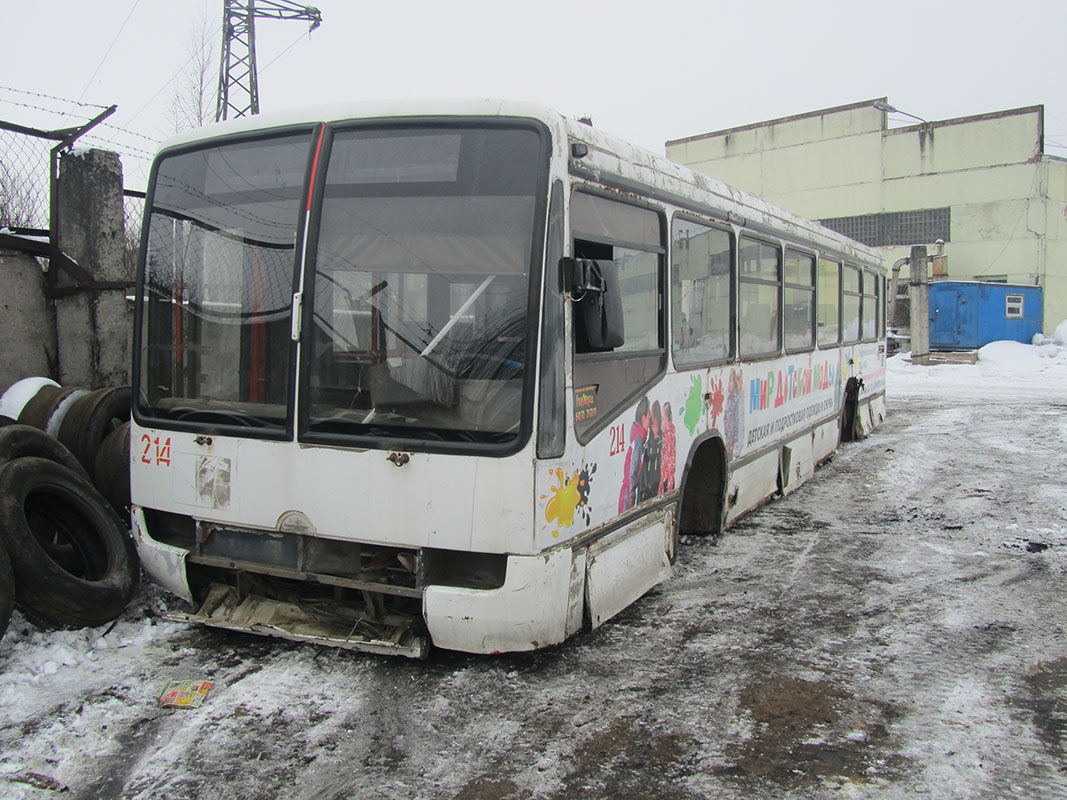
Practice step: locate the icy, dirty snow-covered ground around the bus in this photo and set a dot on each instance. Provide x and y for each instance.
(895, 629)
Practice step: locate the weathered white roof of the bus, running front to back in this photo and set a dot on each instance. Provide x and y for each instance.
(611, 161)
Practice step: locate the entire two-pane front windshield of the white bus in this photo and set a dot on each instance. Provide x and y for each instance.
(418, 283)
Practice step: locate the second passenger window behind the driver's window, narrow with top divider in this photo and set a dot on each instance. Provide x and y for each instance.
(760, 268)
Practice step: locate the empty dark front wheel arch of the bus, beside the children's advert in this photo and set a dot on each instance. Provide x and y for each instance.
(703, 504)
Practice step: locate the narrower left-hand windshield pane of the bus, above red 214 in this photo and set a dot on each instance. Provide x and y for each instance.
(218, 283)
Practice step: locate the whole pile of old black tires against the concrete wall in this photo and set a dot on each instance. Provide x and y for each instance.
(67, 556)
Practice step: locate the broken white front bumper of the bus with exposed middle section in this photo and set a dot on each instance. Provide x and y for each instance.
(315, 590)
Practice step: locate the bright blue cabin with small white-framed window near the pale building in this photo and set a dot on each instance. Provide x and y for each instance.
(967, 315)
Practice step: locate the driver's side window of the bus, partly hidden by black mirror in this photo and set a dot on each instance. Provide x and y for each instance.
(632, 238)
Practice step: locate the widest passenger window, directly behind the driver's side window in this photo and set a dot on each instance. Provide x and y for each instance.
(702, 302)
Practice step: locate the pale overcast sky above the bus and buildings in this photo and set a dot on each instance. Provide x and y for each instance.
(650, 72)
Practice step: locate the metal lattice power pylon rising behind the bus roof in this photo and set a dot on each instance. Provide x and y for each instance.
(238, 85)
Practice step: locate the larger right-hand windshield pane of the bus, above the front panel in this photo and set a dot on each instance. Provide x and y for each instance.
(422, 283)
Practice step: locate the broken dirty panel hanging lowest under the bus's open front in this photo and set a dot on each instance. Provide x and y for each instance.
(225, 609)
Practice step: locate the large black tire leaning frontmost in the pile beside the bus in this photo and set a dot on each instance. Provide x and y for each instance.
(74, 564)
